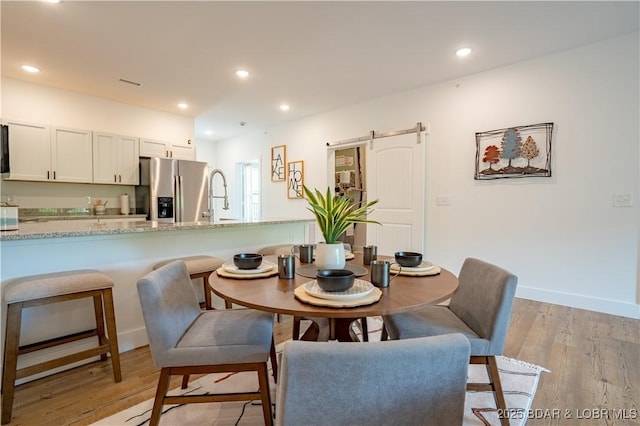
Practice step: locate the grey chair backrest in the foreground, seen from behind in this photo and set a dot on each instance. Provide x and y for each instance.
(400, 382)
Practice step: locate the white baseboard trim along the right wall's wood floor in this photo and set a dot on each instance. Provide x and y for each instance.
(605, 306)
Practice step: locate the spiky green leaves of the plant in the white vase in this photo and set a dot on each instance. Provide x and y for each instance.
(334, 214)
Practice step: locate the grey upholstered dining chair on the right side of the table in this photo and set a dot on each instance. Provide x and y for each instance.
(480, 309)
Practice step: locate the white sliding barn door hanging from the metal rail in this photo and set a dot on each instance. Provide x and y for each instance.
(396, 177)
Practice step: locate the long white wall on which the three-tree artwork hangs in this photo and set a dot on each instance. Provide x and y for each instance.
(561, 235)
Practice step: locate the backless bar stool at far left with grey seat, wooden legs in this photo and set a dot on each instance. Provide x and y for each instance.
(37, 290)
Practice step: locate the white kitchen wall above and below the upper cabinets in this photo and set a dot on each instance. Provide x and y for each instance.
(40, 104)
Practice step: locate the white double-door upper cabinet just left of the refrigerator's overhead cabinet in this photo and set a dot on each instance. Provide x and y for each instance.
(115, 159)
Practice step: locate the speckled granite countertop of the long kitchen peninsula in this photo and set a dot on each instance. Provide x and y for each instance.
(78, 228)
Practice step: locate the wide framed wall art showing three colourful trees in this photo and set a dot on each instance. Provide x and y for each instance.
(522, 151)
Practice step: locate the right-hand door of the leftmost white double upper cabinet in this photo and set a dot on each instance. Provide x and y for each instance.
(72, 157)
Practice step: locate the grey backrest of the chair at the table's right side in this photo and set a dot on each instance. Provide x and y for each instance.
(484, 300)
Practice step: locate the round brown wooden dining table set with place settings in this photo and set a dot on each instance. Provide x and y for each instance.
(268, 292)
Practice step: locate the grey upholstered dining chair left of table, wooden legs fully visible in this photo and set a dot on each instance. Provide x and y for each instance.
(185, 340)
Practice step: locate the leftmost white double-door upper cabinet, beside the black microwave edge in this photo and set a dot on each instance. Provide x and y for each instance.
(41, 153)
